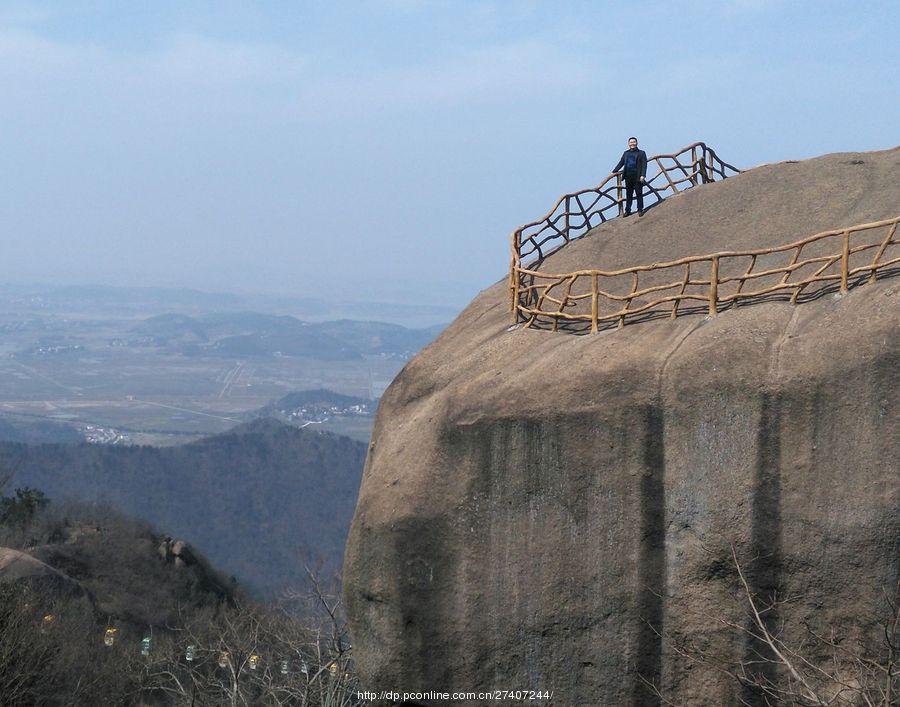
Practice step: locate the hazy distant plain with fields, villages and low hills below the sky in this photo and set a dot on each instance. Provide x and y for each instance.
(165, 367)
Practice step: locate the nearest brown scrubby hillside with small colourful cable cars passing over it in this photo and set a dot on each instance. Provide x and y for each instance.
(99, 609)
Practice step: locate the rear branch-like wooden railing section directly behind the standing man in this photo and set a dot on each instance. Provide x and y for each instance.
(573, 215)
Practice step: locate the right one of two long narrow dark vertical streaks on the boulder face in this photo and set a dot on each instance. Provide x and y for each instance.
(764, 574)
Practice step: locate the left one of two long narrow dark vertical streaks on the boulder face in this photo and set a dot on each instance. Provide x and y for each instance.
(652, 568)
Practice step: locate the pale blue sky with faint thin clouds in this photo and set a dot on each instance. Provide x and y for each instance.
(386, 148)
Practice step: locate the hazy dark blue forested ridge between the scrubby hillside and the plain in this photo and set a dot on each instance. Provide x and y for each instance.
(261, 500)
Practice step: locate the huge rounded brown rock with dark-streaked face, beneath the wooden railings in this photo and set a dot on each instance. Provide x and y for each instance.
(550, 511)
